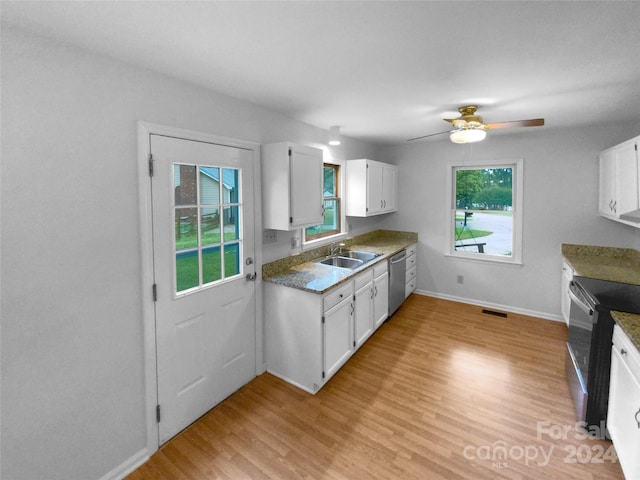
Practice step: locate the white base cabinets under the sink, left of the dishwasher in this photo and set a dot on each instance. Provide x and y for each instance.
(308, 337)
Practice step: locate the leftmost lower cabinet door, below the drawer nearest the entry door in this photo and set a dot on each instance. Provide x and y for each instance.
(337, 336)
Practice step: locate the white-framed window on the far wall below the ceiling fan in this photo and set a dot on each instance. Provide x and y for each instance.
(486, 211)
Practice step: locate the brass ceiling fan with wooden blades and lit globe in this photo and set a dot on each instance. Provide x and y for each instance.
(470, 128)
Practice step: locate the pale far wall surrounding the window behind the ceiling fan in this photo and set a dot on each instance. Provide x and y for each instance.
(560, 206)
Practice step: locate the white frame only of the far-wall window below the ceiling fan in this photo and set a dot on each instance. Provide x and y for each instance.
(517, 209)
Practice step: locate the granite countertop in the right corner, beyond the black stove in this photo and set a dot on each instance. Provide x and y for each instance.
(604, 263)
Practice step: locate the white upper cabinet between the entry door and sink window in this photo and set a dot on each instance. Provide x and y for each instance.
(291, 186)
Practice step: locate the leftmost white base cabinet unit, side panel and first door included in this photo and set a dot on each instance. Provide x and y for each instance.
(308, 336)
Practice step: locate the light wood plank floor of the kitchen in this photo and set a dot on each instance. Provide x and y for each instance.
(438, 392)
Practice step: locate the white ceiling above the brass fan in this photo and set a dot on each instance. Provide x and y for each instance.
(384, 71)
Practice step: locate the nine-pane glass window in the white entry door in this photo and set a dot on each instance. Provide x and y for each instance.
(202, 229)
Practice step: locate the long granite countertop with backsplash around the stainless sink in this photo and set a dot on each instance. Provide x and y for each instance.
(301, 272)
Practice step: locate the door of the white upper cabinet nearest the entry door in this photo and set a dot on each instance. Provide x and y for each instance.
(306, 186)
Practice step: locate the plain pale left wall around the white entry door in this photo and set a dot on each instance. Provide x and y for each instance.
(72, 336)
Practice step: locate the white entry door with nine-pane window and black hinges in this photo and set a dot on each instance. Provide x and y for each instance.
(203, 246)
